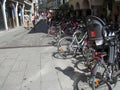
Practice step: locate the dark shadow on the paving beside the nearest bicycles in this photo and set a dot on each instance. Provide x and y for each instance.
(74, 75)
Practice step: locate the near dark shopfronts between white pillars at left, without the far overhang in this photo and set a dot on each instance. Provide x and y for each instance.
(12, 13)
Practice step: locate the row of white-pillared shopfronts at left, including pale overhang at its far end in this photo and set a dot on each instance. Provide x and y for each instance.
(12, 12)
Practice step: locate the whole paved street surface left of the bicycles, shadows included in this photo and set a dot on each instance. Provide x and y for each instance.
(27, 63)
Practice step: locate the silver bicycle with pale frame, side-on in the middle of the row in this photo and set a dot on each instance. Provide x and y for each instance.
(69, 46)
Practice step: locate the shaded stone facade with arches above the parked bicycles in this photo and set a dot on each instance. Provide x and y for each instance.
(101, 8)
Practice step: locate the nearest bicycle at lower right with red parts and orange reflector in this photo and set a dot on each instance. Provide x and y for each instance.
(106, 71)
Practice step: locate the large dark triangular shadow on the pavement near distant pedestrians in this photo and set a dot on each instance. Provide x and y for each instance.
(40, 27)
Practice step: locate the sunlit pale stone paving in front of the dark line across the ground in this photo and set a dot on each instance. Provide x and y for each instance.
(33, 69)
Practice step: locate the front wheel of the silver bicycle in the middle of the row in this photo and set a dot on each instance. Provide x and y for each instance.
(66, 47)
